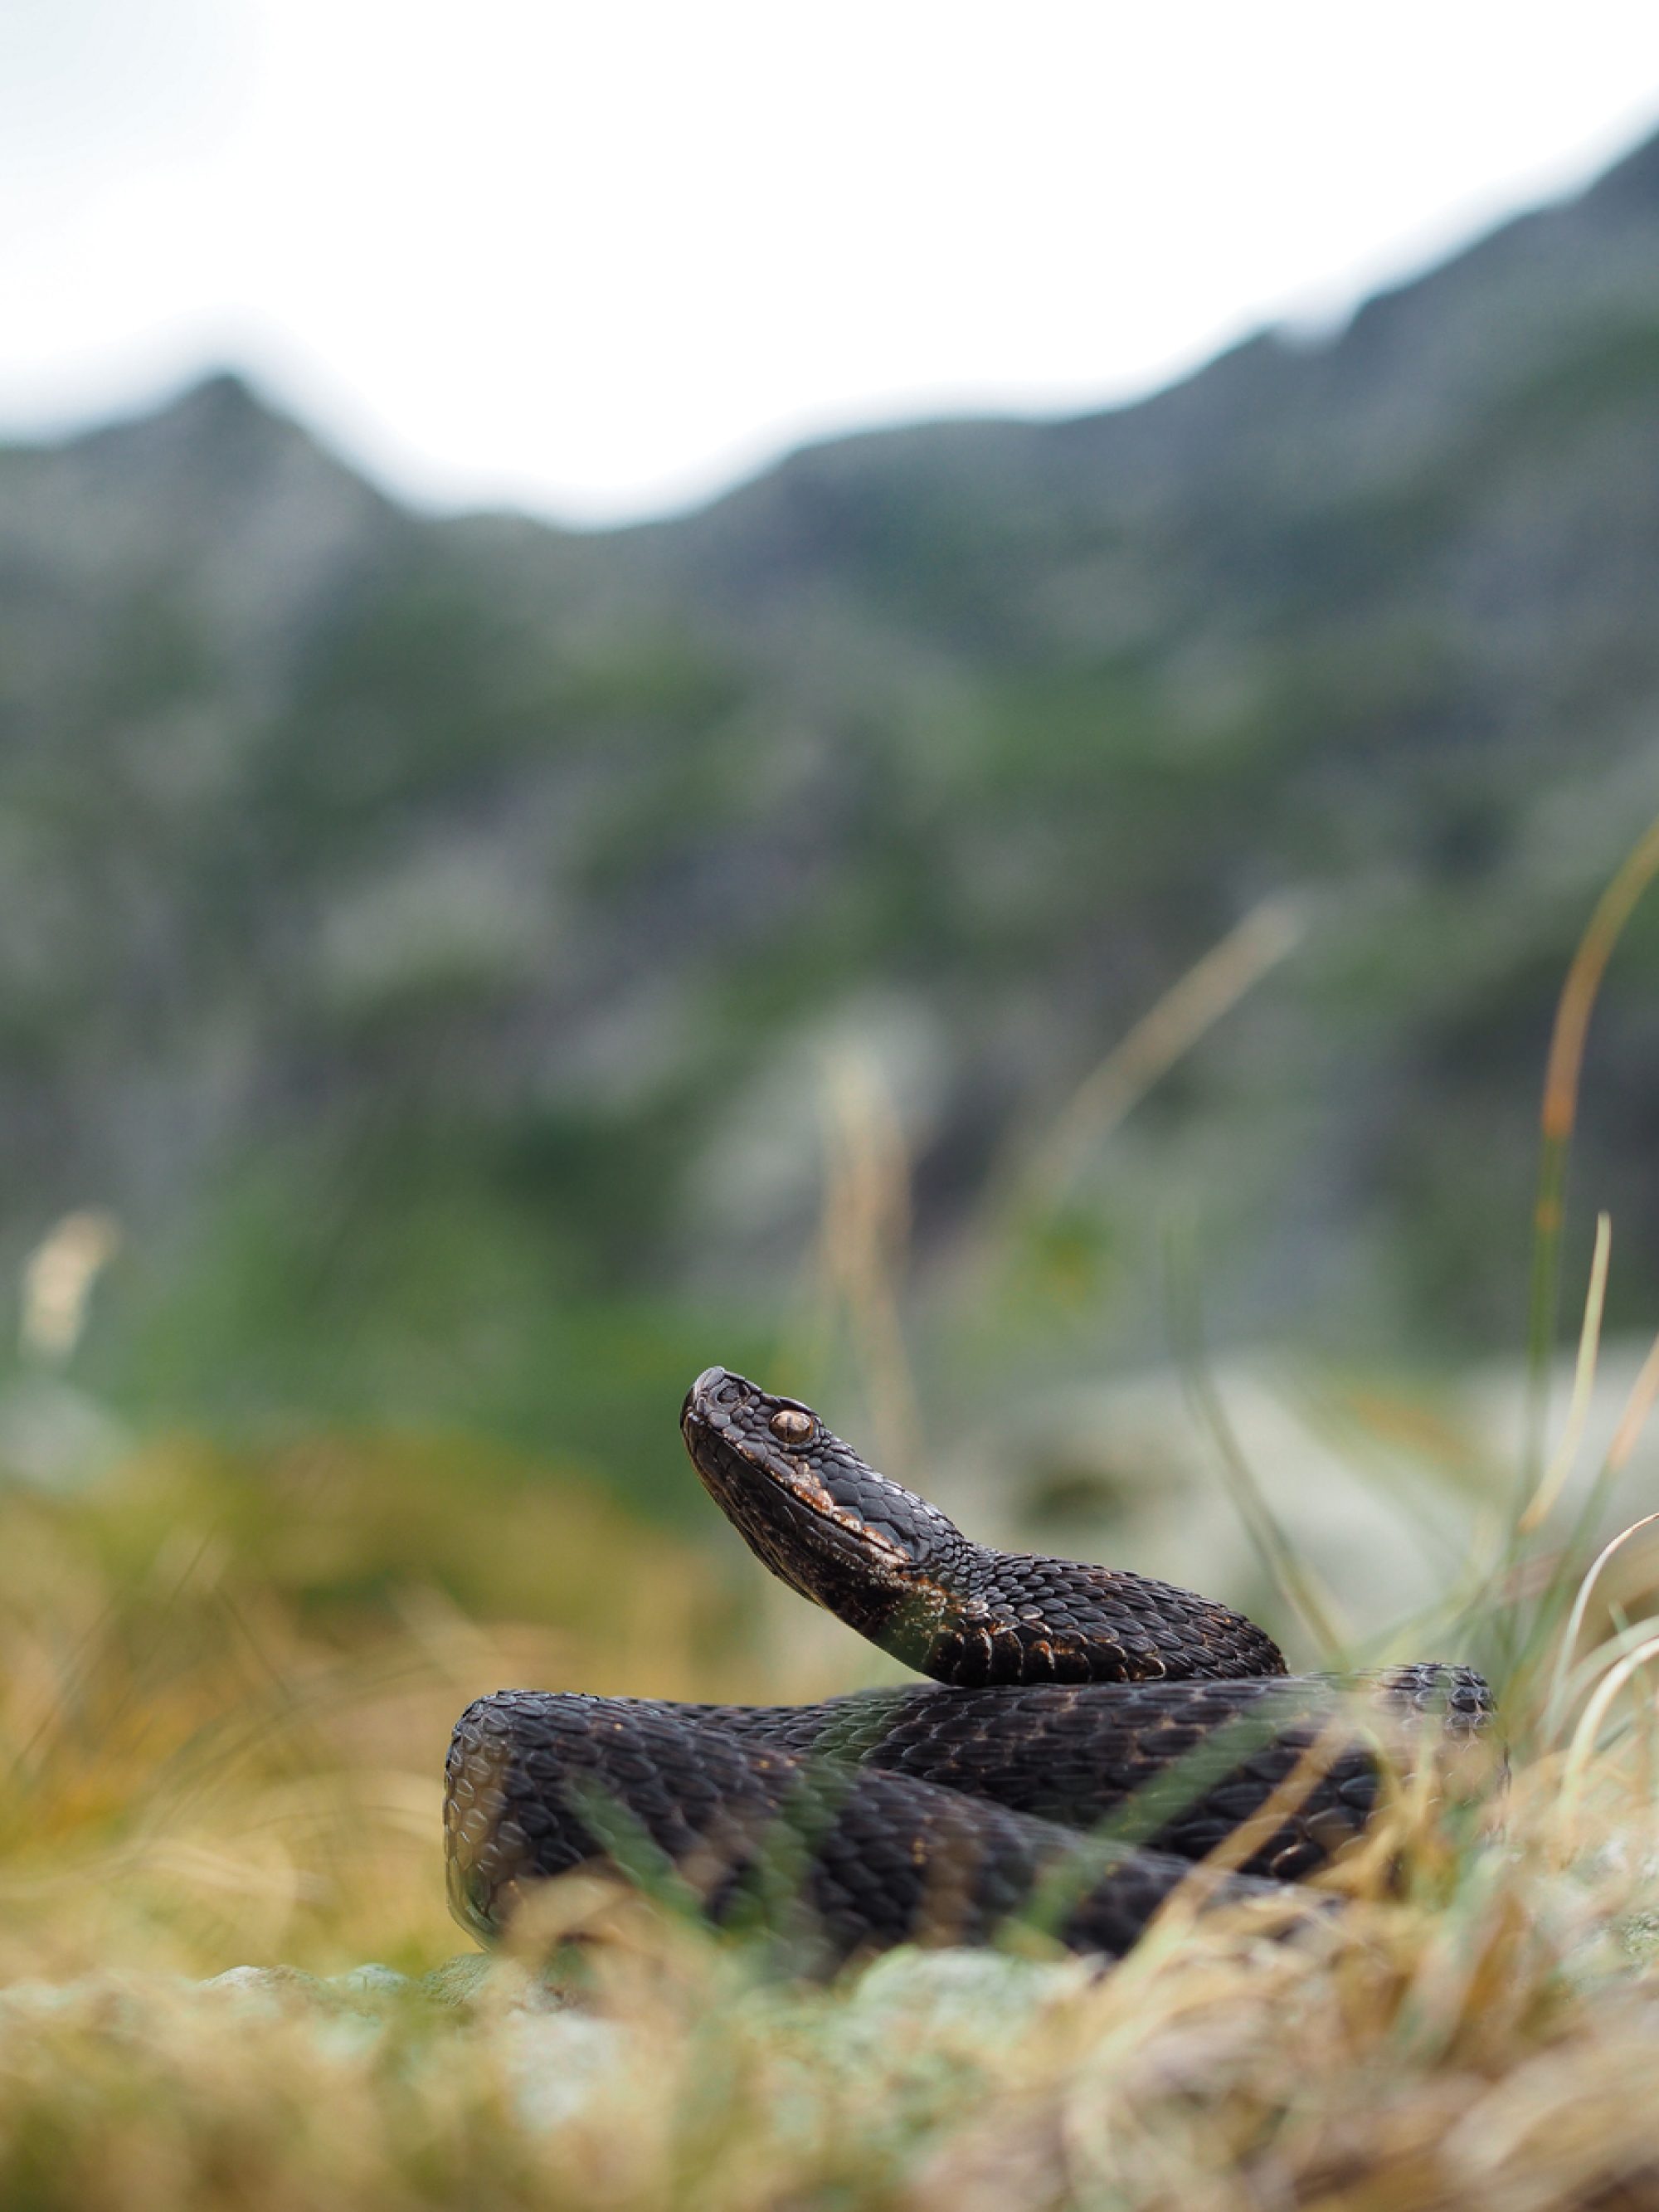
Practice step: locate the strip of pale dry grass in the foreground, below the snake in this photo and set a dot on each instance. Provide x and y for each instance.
(1488, 2041)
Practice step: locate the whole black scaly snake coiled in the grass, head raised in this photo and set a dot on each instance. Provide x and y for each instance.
(1085, 1740)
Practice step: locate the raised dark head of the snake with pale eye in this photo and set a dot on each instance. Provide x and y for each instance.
(815, 1514)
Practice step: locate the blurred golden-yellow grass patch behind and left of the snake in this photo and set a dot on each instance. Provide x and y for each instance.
(227, 1691)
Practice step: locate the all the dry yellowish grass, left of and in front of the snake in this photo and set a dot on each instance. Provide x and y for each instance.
(227, 1693)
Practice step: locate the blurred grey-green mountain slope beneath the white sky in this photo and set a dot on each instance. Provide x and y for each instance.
(419, 928)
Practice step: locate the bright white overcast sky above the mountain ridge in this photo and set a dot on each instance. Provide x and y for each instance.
(601, 258)
